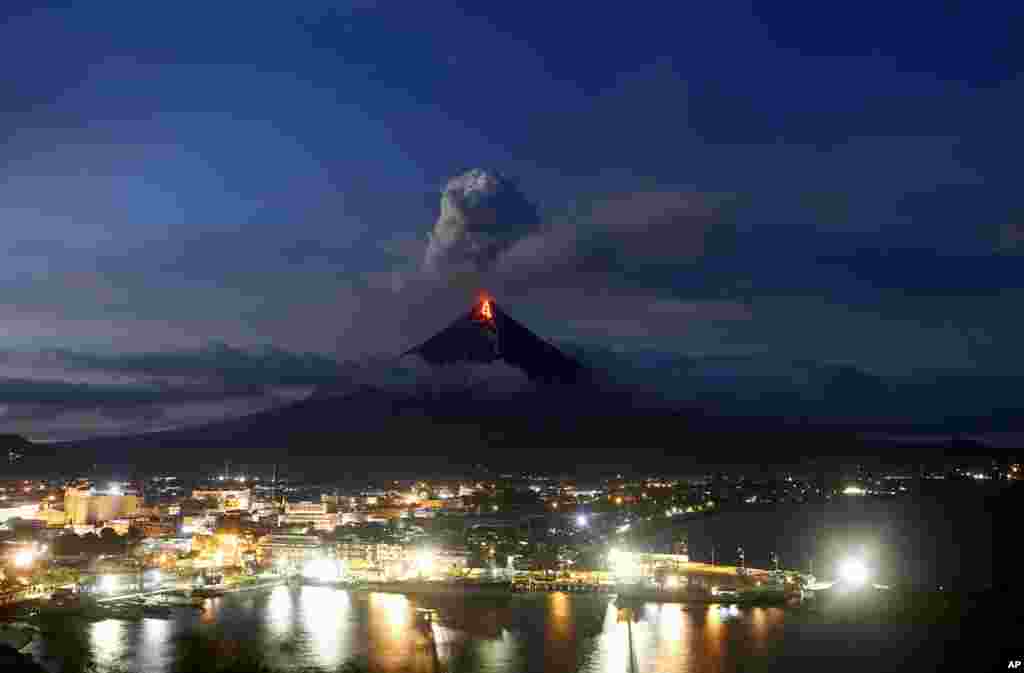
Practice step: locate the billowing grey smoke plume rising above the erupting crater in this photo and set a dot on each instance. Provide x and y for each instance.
(484, 214)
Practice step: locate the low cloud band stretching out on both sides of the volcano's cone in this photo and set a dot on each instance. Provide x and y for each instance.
(108, 396)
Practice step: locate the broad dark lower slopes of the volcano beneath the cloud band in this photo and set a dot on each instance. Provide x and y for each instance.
(552, 428)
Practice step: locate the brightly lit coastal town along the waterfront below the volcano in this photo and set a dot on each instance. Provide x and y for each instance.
(232, 530)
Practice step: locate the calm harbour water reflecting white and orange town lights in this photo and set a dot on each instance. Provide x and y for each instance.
(291, 628)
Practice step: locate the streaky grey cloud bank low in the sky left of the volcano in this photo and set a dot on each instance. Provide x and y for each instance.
(61, 395)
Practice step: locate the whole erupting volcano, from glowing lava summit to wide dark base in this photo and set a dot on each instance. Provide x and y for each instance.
(374, 415)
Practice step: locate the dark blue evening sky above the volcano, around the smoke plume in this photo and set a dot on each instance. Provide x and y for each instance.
(821, 182)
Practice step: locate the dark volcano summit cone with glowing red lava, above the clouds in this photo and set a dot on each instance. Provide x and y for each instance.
(487, 334)
